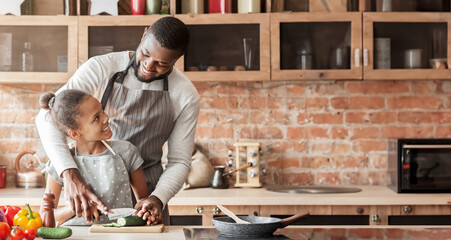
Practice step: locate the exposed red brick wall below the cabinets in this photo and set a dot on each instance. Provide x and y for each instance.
(311, 132)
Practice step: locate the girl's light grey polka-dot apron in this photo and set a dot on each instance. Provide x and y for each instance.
(98, 172)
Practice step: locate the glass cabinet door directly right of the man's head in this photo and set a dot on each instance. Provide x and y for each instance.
(227, 47)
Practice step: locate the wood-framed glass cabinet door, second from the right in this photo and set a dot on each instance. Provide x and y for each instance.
(307, 46)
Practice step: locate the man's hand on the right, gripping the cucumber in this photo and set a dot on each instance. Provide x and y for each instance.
(150, 209)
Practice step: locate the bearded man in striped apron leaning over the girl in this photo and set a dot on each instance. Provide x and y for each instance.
(149, 102)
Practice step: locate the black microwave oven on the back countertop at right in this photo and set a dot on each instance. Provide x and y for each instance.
(420, 165)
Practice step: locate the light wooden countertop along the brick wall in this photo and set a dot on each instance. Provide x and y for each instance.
(370, 195)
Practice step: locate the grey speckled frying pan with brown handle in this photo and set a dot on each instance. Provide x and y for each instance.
(260, 226)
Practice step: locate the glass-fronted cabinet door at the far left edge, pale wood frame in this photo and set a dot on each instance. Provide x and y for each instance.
(37, 49)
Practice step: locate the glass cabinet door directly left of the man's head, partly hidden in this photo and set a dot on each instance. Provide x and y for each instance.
(104, 34)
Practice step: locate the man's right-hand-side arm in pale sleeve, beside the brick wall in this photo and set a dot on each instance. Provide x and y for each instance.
(180, 147)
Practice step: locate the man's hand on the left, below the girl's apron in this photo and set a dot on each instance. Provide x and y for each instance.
(79, 194)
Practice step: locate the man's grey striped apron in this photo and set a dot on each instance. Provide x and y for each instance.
(142, 117)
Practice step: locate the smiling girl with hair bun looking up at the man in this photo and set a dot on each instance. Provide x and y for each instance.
(108, 167)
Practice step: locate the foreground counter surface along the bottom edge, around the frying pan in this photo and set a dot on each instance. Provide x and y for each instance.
(291, 232)
